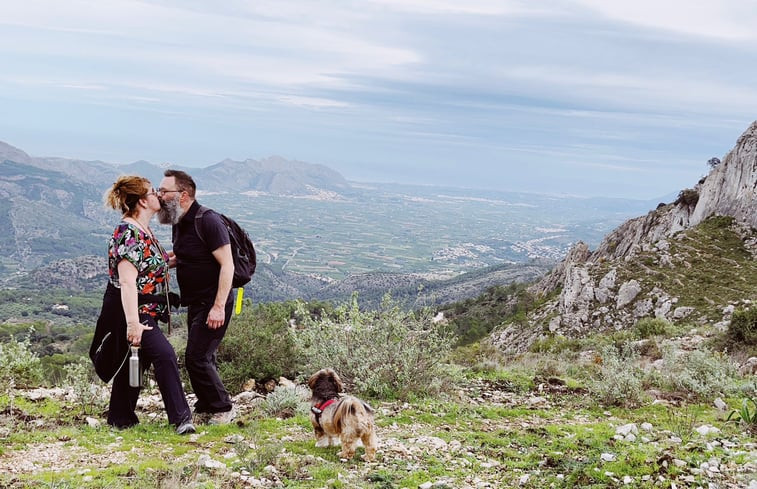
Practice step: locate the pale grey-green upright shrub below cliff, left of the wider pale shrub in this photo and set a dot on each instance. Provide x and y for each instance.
(619, 380)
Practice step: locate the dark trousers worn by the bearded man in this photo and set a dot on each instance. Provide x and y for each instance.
(200, 358)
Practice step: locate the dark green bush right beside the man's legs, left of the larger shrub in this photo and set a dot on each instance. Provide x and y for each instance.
(258, 345)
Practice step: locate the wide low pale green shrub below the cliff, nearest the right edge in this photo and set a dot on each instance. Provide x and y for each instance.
(699, 372)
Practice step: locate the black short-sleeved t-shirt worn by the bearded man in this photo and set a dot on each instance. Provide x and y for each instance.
(196, 268)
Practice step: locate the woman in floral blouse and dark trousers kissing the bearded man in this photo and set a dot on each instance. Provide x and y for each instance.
(136, 297)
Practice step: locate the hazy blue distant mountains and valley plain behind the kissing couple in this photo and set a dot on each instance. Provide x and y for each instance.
(56, 228)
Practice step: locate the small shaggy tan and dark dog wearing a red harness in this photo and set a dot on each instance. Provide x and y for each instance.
(347, 421)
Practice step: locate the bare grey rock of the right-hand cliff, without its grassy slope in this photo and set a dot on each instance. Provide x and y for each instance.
(589, 297)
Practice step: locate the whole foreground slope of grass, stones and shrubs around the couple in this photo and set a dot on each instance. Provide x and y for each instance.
(463, 418)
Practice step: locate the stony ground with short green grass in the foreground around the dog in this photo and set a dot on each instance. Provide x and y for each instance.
(497, 443)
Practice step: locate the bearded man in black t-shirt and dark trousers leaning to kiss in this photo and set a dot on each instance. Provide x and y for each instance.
(204, 270)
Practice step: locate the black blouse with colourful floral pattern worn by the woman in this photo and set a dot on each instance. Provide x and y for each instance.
(150, 259)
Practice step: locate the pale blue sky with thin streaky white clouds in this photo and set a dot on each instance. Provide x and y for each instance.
(579, 97)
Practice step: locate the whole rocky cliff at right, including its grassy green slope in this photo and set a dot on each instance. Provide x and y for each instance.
(691, 260)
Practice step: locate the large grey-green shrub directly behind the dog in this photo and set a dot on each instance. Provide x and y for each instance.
(384, 353)
